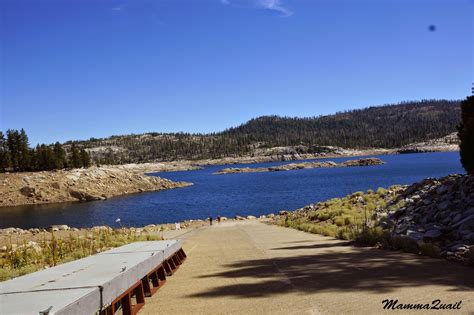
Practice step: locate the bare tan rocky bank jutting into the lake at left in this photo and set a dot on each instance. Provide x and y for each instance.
(95, 183)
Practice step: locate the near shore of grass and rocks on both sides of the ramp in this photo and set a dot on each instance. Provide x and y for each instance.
(396, 221)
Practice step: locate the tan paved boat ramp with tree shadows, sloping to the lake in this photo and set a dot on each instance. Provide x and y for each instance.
(254, 268)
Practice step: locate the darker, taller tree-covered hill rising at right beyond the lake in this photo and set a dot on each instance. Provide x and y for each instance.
(374, 127)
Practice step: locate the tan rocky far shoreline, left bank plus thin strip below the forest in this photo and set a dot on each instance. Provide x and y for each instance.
(101, 183)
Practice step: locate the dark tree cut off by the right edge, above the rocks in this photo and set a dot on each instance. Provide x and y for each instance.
(466, 134)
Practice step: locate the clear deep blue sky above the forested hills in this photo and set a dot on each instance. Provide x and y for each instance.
(74, 69)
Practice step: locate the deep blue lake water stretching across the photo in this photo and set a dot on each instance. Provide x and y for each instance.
(228, 195)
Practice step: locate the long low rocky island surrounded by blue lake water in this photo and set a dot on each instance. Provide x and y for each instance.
(303, 165)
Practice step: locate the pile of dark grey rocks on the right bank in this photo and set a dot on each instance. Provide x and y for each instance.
(440, 211)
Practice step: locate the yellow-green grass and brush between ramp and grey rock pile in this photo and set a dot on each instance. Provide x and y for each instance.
(354, 217)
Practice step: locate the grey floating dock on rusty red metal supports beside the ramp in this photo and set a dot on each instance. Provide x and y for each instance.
(112, 281)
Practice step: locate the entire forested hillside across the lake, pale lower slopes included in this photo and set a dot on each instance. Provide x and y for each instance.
(388, 126)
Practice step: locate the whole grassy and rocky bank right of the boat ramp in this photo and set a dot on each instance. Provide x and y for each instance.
(433, 217)
